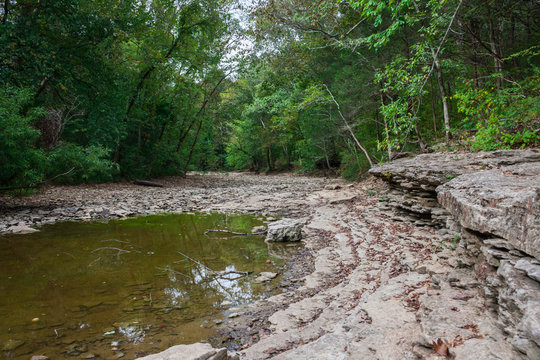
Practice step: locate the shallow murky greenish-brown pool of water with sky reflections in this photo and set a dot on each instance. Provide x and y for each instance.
(74, 290)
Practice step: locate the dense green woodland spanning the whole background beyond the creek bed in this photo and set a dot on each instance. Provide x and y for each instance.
(95, 90)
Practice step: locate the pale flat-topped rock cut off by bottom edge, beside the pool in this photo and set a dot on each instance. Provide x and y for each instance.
(196, 351)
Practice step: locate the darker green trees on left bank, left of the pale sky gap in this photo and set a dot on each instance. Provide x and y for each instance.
(123, 85)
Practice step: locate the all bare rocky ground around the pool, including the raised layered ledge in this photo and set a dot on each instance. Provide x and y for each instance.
(436, 258)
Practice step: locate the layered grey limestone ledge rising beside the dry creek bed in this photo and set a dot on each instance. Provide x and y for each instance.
(490, 201)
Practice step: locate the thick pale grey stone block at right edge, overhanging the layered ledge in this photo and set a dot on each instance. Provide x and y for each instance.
(502, 202)
